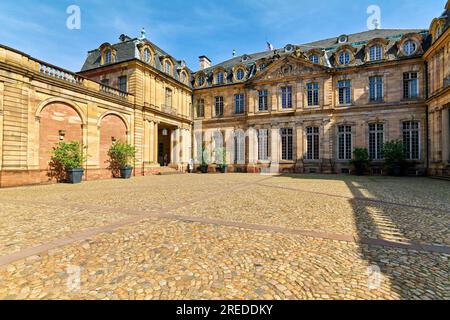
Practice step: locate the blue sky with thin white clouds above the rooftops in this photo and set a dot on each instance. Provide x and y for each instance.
(187, 29)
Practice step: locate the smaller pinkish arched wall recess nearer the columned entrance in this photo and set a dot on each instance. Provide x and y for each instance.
(112, 128)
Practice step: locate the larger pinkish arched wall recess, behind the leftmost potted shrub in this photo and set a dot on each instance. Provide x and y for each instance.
(58, 122)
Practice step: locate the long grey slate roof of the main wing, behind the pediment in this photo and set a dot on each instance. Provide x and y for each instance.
(328, 46)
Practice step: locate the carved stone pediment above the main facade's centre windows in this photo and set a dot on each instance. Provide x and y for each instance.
(290, 67)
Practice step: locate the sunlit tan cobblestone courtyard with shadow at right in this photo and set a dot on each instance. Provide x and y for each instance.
(233, 236)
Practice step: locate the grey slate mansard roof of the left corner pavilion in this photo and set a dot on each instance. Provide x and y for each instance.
(128, 49)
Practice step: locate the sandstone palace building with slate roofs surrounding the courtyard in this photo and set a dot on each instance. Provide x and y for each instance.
(303, 108)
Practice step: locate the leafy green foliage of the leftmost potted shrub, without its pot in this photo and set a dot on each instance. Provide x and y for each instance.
(68, 155)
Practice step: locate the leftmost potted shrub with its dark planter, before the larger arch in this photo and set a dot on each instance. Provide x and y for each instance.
(69, 157)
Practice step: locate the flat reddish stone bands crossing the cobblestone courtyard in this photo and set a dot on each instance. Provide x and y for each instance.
(139, 215)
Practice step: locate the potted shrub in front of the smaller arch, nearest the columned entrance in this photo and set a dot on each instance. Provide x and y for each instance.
(121, 156)
